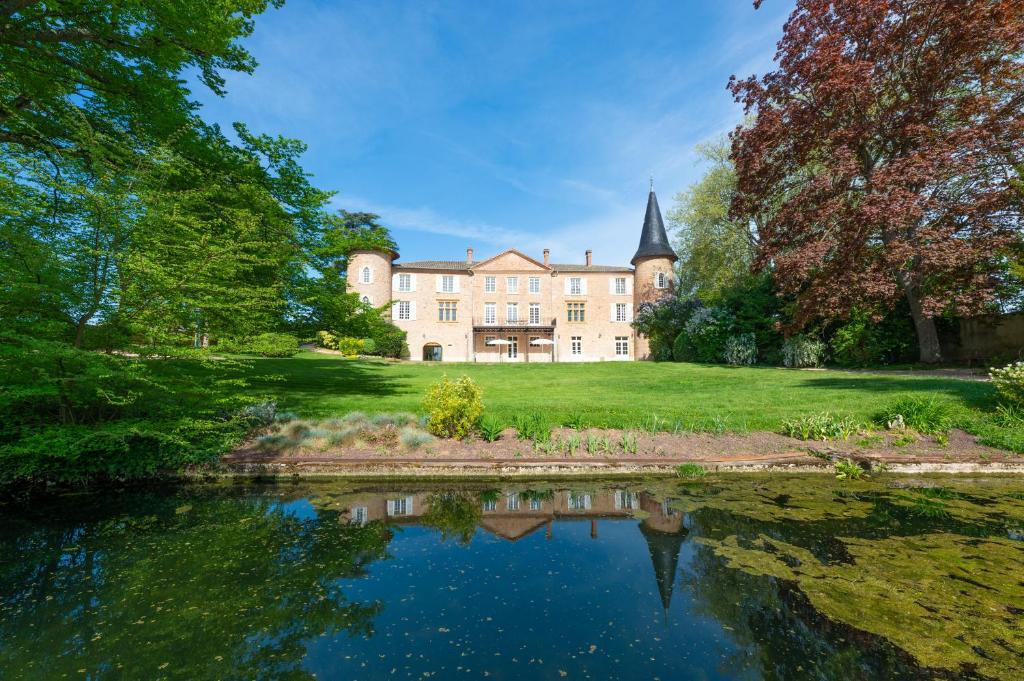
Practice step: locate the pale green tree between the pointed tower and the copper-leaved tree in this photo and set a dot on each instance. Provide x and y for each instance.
(715, 249)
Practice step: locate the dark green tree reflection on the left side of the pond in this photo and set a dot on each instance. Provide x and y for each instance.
(234, 588)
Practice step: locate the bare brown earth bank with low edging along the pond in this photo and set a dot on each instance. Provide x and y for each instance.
(657, 454)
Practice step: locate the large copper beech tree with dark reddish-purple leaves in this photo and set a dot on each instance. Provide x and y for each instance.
(881, 158)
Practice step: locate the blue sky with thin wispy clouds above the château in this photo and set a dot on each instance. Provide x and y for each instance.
(502, 124)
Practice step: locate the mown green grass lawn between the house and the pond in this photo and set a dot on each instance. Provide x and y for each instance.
(612, 395)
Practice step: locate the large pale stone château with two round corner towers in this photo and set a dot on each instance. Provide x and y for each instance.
(513, 308)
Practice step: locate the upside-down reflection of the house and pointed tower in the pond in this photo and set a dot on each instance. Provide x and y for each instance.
(518, 515)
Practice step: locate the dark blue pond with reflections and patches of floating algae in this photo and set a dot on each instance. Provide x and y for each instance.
(727, 578)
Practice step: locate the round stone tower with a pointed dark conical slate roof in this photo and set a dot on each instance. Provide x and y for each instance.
(654, 276)
